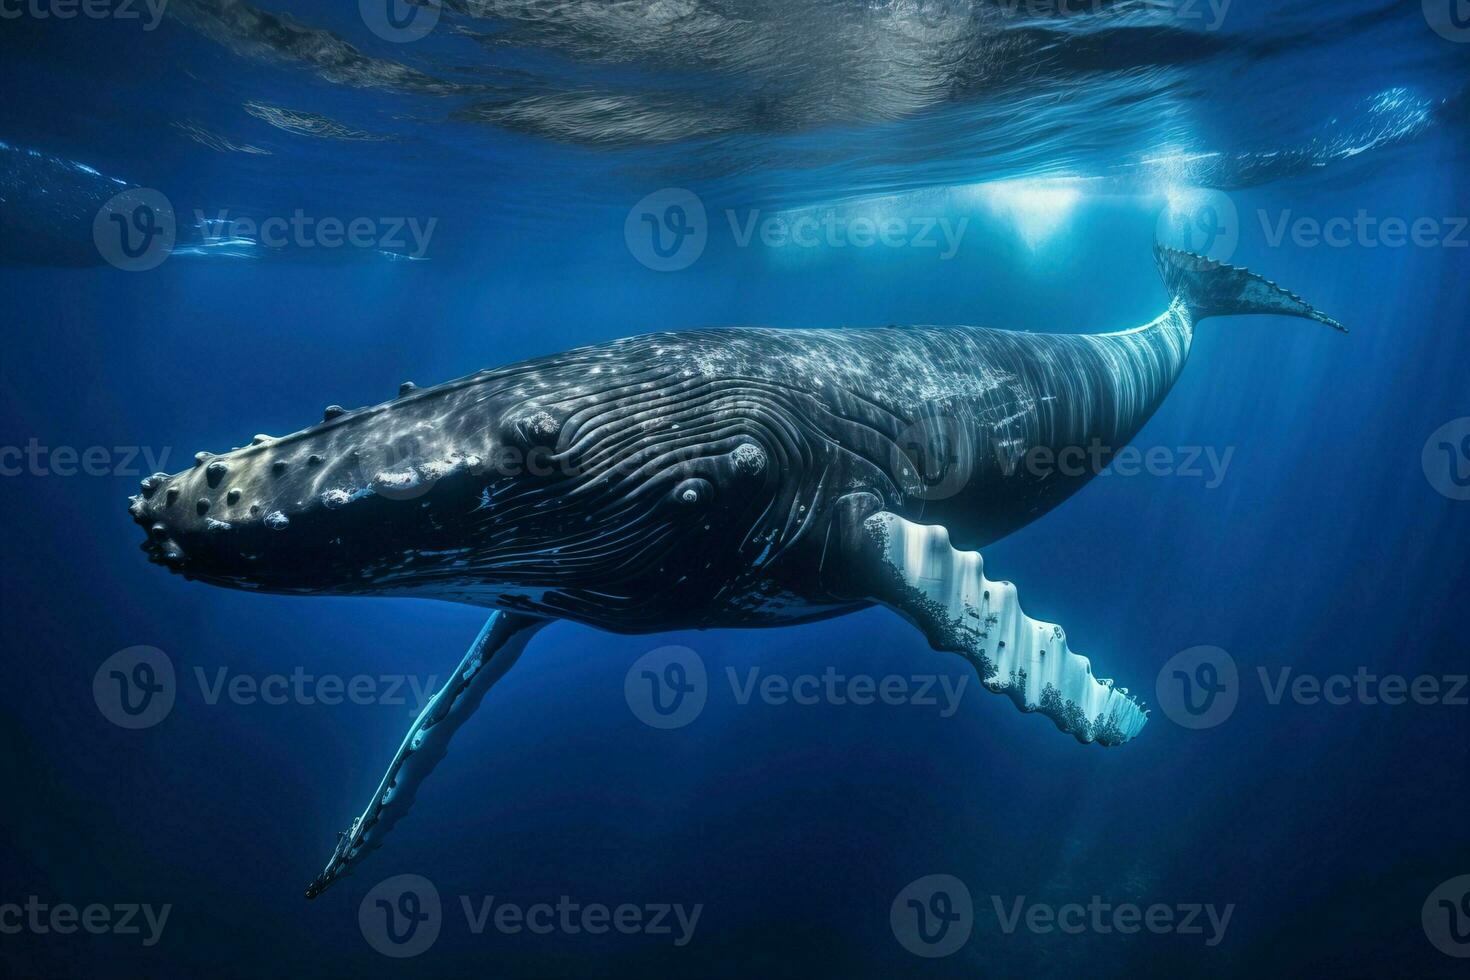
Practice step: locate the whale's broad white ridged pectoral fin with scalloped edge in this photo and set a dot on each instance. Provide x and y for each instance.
(947, 596)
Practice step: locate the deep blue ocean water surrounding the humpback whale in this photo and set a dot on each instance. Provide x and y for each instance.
(1059, 151)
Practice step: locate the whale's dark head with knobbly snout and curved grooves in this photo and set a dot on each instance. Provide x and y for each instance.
(536, 490)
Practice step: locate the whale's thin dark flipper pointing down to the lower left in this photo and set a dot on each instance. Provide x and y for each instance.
(493, 653)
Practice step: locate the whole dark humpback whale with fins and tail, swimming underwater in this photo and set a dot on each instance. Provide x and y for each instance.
(721, 478)
